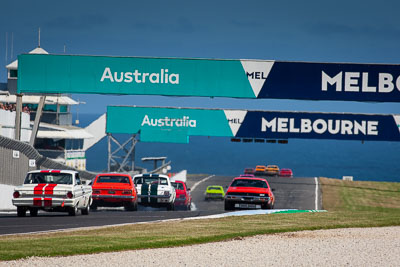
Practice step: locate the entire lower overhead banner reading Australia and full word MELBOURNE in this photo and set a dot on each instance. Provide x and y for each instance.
(177, 124)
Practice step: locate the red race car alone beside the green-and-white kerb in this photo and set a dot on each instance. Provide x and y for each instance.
(249, 193)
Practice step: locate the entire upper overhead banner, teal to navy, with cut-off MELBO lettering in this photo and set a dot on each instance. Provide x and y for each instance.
(208, 77)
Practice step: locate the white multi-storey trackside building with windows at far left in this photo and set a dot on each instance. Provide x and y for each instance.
(57, 137)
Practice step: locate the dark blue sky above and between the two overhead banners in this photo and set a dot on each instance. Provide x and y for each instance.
(317, 31)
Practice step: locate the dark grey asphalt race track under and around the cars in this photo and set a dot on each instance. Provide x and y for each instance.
(290, 193)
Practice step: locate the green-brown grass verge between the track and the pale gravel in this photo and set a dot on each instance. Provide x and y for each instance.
(350, 204)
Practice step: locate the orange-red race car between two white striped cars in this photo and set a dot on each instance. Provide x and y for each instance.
(114, 190)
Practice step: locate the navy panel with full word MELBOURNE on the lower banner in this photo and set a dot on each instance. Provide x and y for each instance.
(284, 125)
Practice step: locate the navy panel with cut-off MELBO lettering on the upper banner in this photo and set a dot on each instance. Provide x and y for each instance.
(332, 81)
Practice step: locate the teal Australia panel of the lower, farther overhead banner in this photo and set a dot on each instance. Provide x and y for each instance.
(167, 124)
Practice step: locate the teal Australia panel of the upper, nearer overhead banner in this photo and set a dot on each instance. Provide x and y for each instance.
(132, 76)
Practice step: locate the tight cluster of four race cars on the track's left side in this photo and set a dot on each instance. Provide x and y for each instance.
(63, 191)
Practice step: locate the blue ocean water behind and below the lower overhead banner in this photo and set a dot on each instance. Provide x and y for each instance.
(369, 161)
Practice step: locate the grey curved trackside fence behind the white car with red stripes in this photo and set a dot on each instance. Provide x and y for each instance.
(13, 169)
